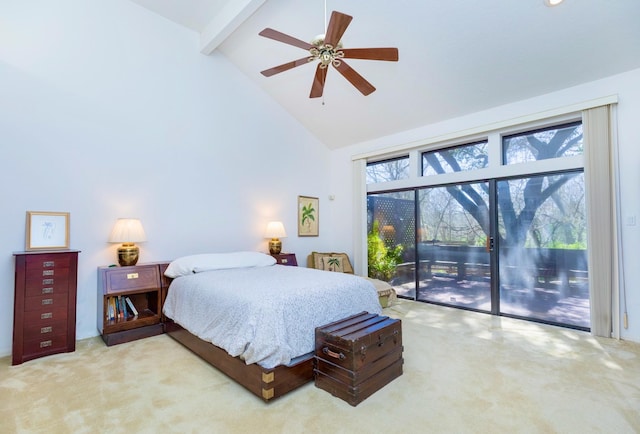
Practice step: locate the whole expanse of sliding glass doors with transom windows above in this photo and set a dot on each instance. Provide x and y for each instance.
(493, 237)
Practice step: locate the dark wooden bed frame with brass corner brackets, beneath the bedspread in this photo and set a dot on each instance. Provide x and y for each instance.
(267, 384)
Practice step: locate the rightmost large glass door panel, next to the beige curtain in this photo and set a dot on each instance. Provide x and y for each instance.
(543, 248)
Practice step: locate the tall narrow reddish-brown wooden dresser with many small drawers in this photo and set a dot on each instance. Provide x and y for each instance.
(44, 313)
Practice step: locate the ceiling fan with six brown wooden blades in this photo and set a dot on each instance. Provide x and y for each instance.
(327, 49)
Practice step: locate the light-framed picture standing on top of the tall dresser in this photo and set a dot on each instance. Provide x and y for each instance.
(47, 230)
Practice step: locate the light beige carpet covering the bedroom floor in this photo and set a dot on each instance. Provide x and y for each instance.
(464, 373)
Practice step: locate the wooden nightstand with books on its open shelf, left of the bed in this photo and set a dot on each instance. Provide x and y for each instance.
(130, 302)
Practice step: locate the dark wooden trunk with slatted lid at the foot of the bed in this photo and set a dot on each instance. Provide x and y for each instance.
(358, 355)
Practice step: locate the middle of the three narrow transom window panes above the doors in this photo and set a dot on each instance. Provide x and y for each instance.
(458, 159)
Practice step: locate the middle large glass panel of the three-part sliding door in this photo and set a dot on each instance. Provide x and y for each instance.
(453, 255)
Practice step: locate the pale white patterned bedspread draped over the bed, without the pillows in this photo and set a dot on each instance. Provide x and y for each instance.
(266, 315)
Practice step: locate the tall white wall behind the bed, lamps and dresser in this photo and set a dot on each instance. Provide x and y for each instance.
(107, 111)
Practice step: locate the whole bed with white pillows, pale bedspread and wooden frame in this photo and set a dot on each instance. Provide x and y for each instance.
(255, 320)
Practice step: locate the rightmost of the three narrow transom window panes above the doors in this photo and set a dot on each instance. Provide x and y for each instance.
(554, 142)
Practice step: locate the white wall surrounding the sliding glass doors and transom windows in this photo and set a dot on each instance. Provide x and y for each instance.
(626, 86)
